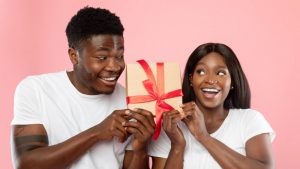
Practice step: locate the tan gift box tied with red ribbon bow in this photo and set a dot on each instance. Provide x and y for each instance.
(155, 87)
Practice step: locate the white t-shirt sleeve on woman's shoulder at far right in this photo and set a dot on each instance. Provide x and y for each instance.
(256, 124)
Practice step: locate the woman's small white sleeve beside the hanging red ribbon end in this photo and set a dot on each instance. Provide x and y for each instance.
(160, 147)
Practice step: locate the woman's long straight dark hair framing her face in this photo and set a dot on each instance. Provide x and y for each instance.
(239, 96)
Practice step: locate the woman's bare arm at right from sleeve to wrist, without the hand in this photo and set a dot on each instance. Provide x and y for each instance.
(258, 153)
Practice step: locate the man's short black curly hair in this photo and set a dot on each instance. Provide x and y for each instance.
(91, 21)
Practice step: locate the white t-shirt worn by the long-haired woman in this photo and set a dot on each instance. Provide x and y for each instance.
(239, 126)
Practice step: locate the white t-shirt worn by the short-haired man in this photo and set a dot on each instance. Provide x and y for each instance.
(52, 100)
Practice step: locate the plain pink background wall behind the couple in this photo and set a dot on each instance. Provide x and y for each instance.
(264, 34)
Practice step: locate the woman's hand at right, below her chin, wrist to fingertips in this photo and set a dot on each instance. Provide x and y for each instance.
(194, 120)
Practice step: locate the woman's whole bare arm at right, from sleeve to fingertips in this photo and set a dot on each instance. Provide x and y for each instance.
(258, 148)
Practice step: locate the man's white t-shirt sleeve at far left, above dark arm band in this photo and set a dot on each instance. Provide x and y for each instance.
(26, 103)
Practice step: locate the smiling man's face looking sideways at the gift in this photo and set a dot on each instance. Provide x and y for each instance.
(99, 65)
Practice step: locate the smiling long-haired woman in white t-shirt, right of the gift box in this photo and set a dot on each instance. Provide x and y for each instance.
(215, 127)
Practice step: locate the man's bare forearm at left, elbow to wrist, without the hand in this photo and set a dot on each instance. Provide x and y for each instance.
(58, 156)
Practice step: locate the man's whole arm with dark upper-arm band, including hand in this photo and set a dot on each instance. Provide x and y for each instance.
(33, 151)
